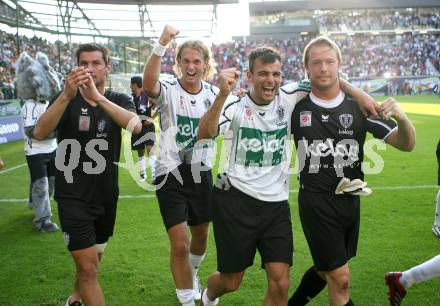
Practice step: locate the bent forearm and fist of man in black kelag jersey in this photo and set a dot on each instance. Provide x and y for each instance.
(404, 137)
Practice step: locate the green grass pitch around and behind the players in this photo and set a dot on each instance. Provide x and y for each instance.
(36, 269)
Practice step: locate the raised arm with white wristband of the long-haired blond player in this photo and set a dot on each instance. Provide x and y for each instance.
(150, 81)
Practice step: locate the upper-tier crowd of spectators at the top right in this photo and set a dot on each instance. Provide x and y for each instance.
(345, 20)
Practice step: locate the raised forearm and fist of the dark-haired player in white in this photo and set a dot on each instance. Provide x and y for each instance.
(208, 126)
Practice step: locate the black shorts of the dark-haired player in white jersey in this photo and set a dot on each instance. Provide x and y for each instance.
(242, 225)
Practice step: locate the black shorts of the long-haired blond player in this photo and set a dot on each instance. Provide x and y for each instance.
(188, 202)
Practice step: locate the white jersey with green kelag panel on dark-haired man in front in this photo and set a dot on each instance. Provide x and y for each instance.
(257, 143)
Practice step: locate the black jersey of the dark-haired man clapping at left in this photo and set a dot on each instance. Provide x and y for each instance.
(90, 137)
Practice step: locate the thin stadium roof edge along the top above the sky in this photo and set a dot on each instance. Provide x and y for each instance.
(159, 2)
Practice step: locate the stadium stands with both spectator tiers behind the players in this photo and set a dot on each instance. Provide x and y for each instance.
(375, 41)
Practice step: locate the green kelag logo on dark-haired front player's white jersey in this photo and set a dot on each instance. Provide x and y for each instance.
(260, 149)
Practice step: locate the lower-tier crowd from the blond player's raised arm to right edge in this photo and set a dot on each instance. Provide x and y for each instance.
(363, 56)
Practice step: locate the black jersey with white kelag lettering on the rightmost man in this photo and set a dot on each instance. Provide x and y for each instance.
(329, 137)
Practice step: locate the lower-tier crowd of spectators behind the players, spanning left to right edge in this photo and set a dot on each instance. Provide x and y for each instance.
(409, 54)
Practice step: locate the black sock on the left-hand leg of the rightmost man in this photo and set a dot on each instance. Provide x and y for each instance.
(311, 284)
